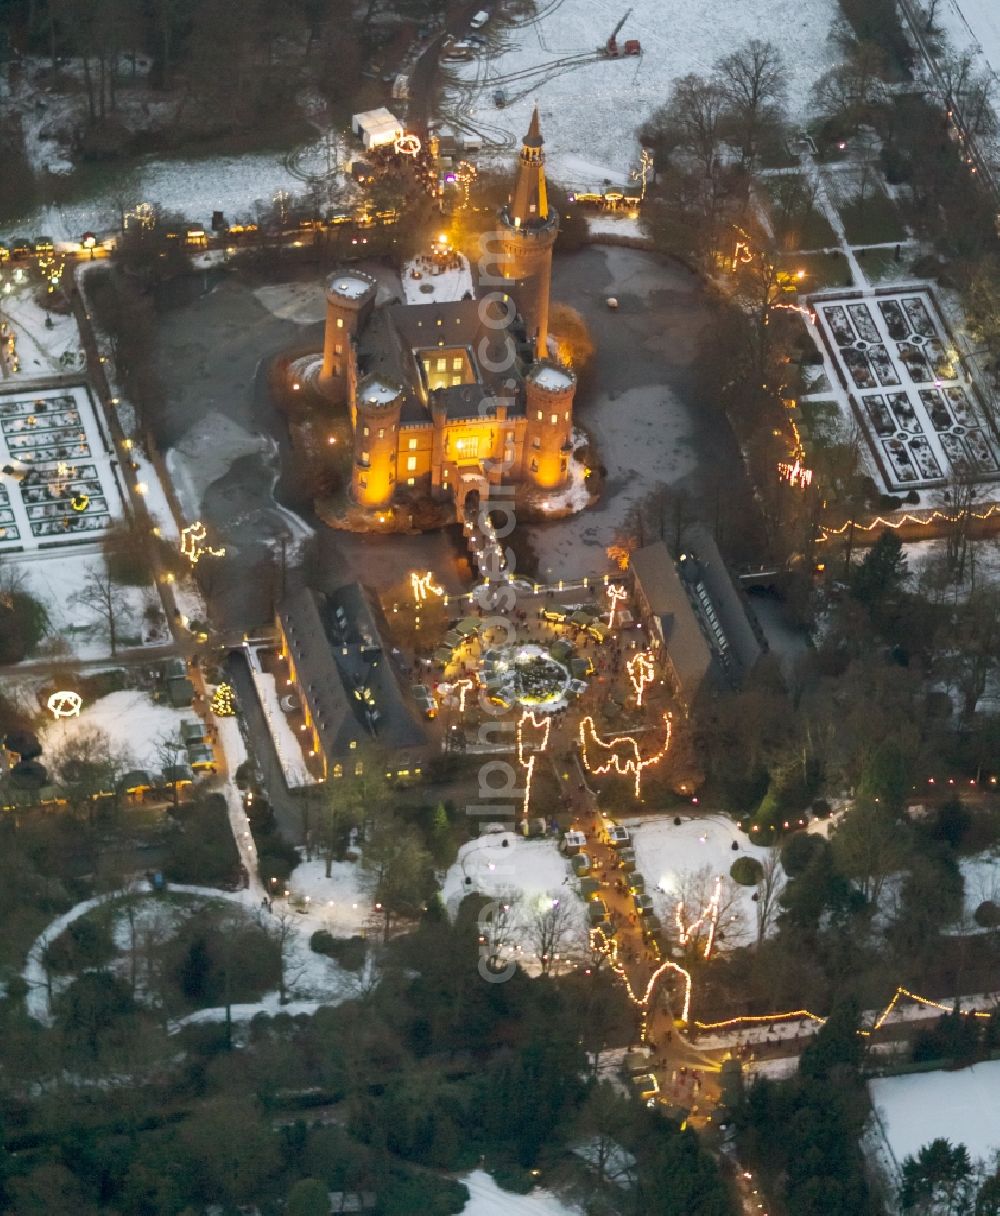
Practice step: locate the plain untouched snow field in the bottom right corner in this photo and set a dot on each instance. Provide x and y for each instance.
(960, 1107)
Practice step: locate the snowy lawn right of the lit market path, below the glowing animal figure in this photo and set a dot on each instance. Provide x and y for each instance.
(670, 855)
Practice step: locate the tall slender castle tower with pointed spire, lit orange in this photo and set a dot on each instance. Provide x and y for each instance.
(527, 229)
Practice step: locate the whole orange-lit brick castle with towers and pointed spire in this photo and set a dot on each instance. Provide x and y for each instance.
(452, 398)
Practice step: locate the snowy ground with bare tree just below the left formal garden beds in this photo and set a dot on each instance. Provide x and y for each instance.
(57, 577)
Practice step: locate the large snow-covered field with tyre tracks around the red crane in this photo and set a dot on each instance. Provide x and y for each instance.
(591, 110)
